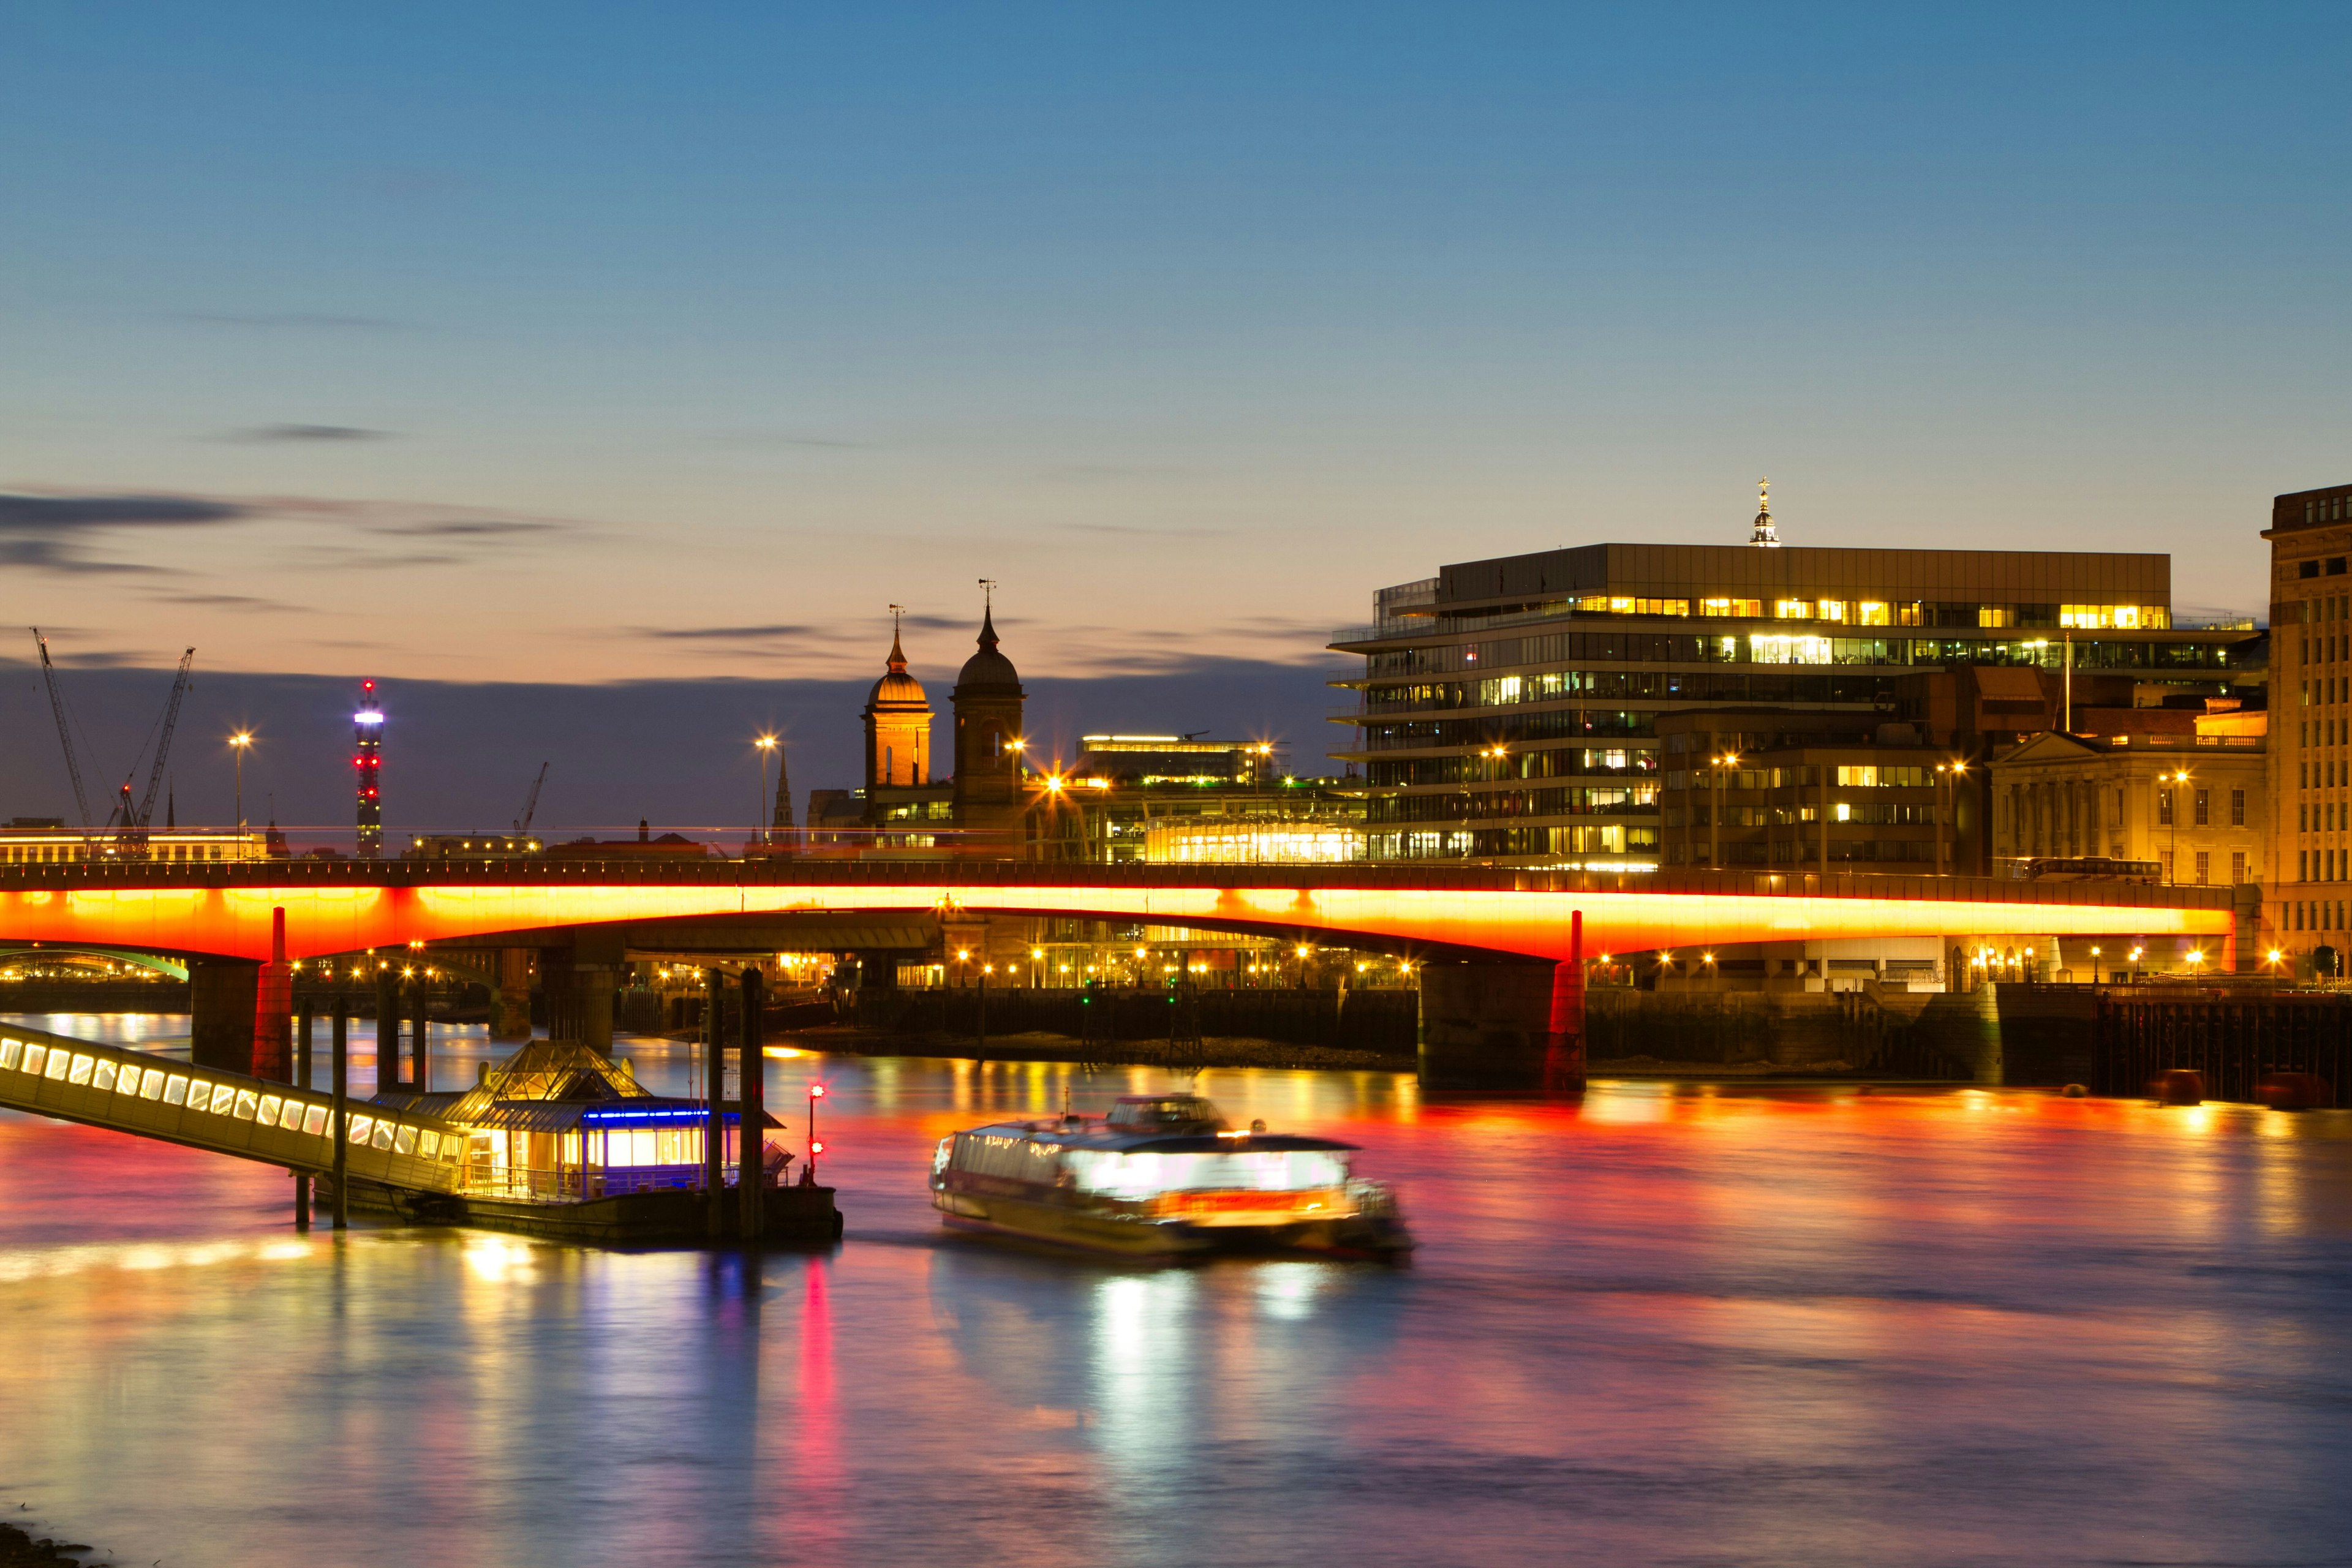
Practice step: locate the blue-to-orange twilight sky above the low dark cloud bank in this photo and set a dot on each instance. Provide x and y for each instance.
(671, 344)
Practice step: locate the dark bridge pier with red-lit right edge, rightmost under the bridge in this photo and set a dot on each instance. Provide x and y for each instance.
(1490, 1026)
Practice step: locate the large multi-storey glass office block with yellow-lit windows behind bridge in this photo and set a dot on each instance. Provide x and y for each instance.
(1509, 709)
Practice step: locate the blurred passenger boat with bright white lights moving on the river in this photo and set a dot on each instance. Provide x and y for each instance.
(1163, 1177)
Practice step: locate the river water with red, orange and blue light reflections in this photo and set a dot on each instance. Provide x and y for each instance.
(1673, 1325)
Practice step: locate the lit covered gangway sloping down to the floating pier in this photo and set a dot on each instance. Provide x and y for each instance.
(227, 1113)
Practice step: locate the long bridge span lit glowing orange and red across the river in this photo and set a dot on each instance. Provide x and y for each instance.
(1476, 920)
